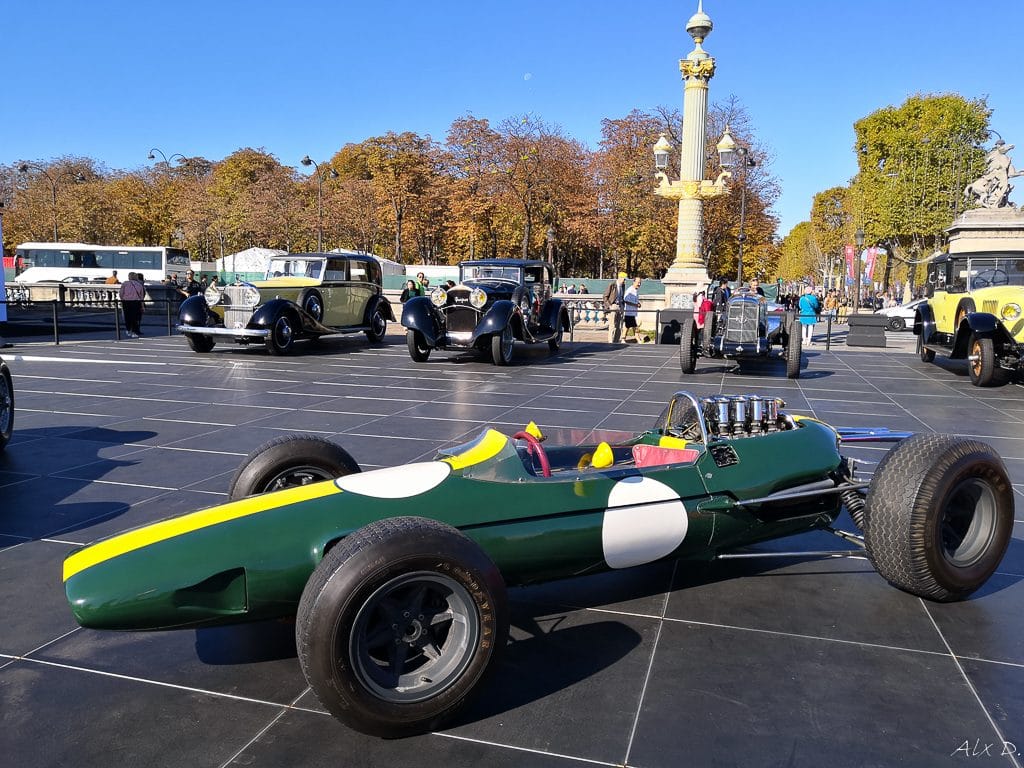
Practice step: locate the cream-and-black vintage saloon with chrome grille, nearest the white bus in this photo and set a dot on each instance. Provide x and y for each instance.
(304, 295)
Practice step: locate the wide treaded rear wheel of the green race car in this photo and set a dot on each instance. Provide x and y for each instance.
(941, 514)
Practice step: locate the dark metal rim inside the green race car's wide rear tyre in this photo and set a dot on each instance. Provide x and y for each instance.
(968, 523)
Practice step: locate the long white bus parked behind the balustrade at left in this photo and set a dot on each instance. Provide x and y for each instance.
(81, 263)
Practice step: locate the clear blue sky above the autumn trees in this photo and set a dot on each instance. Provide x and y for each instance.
(111, 79)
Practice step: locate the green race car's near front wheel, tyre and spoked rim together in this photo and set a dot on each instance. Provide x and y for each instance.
(399, 624)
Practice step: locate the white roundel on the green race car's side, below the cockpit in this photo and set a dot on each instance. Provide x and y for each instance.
(646, 521)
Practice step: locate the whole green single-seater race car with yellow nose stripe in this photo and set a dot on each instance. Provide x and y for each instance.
(398, 577)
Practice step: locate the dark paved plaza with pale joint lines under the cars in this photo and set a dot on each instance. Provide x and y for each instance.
(788, 662)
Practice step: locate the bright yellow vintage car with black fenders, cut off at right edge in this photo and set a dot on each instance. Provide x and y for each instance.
(975, 311)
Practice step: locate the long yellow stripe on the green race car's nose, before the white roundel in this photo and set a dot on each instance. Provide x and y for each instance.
(161, 532)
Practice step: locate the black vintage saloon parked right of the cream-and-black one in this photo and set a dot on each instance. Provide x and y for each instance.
(496, 303)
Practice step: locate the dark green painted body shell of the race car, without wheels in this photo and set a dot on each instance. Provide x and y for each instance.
(255, 566)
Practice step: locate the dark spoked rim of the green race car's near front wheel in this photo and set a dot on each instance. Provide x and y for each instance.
(414, 637)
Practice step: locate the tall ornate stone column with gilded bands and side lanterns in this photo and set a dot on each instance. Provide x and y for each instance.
(689, 269)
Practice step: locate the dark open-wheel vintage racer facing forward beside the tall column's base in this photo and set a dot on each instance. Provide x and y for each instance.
(749, 328)
